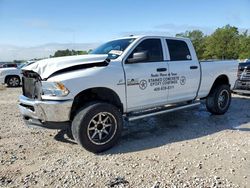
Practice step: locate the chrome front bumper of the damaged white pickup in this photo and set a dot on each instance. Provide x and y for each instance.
(47, 114)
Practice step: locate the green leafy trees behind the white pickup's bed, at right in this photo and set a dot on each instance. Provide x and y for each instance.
(224, 43)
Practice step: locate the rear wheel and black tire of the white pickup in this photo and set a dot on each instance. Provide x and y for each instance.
(219, 100)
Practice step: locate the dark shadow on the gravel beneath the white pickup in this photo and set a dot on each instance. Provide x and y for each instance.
(179, 126)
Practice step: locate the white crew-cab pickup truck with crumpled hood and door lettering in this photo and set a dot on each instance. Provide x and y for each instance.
(128, 78)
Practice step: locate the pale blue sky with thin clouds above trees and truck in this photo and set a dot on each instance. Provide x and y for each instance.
(32, 28)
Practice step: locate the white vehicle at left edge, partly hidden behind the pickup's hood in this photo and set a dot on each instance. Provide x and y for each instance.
(12, 75)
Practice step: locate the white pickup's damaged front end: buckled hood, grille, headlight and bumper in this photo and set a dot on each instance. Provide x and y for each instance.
(46, 102)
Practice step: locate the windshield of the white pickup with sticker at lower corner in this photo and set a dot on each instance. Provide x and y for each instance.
(113, 48)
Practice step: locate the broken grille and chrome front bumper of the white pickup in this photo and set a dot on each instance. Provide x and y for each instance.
(39, 112)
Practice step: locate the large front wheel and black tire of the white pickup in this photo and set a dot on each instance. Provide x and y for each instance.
(88, 124)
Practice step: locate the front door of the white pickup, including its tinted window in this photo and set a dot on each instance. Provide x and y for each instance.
(144, 78)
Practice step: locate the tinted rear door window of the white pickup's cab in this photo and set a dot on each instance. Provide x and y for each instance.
(178, 50)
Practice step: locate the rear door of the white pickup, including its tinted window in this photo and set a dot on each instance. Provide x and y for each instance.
(184, 71)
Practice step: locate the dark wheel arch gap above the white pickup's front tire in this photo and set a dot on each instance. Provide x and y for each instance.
(95, 94)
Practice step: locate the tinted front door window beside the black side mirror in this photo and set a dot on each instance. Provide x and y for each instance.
(152, 49)
